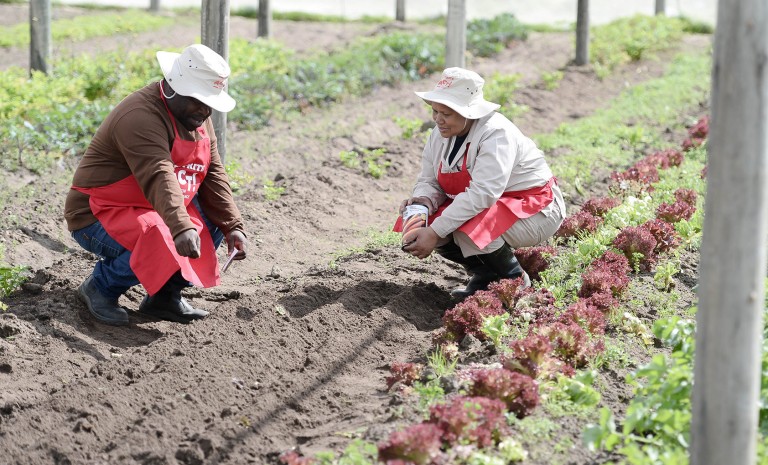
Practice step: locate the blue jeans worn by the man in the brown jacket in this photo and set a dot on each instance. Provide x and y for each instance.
(112, 274)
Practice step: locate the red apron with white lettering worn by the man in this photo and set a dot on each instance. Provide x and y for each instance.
(129, 219)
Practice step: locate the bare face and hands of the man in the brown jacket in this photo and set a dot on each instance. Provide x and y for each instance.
(192, 113)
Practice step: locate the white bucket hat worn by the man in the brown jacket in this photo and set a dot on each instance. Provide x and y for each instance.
(198, 72)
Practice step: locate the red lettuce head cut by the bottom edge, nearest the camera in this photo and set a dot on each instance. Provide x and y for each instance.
(418, 444)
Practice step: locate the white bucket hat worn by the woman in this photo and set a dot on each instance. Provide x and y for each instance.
(461, 90)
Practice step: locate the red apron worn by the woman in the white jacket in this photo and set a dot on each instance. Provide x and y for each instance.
(492, 222)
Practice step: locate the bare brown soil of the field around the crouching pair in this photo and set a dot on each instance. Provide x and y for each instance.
(301, 334)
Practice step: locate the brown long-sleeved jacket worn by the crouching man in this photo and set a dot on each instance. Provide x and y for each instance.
(136, 138)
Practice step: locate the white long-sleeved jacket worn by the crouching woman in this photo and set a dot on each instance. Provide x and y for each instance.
(500, 159)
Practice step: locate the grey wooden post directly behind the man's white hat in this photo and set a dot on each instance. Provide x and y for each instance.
(215, 34)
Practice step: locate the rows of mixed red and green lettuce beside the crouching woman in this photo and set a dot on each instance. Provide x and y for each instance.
(550, 347)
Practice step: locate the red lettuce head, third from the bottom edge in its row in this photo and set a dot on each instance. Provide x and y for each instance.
(518, 391)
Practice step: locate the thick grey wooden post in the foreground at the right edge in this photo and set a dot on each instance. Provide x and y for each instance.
(731, 290)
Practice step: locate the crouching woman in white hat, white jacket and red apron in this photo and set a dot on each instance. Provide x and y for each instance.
(486, 185)
